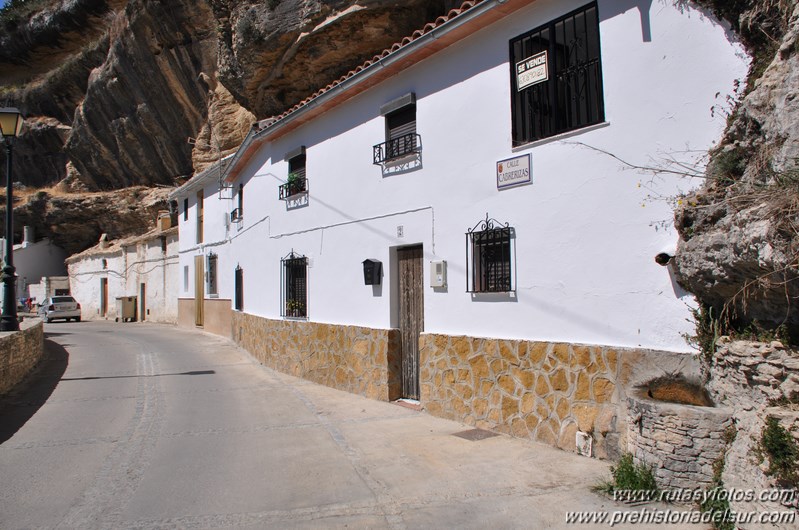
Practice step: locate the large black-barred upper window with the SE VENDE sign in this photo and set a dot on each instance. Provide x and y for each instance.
(556, 77)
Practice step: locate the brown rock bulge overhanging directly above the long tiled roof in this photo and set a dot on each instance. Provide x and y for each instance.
(273, 54)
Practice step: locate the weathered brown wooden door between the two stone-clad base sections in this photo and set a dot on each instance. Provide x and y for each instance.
(411, 316)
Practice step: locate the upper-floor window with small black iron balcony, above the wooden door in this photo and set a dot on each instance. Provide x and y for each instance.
(401, 137)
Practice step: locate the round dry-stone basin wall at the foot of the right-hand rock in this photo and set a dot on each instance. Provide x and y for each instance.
(680, 442)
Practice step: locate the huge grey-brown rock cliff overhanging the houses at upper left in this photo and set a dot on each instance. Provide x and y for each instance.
(120, 93)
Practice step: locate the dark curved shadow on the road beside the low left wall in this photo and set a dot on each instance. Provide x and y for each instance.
(24, 400)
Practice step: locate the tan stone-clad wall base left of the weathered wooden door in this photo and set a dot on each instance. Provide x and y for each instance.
(359, 360)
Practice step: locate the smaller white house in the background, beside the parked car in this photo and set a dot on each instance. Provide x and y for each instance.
(142, 270)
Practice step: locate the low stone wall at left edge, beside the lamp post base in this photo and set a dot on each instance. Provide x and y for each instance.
(19, 353)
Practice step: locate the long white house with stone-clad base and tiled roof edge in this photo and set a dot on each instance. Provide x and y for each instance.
(481, 169)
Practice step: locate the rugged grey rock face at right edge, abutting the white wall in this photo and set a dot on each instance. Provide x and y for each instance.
(740, 249)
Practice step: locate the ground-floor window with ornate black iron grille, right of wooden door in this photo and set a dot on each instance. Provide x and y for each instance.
(489, 257)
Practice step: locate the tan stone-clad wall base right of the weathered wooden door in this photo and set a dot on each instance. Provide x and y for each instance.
(537, 390)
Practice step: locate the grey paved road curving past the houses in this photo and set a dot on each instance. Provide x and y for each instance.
(146, 426)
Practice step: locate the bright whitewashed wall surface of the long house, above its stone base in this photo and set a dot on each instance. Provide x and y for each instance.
(587, 229)
